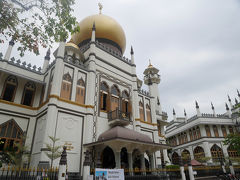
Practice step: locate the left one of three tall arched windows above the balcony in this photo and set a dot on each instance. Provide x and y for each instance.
(104, 97)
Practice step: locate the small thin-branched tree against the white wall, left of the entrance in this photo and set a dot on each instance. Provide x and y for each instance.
(53, 150)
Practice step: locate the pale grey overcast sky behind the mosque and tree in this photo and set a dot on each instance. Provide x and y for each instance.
(194, 43)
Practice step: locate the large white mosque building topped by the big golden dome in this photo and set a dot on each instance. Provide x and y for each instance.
(89, 97)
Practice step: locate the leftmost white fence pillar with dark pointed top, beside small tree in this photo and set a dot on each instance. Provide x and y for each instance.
(63, 165)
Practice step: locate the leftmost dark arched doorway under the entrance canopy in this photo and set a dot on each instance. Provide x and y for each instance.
(108, 159)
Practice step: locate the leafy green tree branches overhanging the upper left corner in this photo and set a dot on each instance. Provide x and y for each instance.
(35, 23)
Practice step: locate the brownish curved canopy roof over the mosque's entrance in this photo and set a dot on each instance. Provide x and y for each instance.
(124, 137)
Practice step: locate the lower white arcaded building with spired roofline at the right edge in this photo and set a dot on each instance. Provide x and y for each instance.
(201, 136)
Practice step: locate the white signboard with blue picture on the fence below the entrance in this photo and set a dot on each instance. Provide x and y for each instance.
(109, 174)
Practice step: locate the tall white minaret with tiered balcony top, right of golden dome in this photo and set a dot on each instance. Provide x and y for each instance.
(152, 79)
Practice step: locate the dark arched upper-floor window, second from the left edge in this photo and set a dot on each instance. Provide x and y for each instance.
(28, 94)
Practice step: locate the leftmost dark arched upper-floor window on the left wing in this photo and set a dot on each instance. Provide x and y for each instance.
(9, 88)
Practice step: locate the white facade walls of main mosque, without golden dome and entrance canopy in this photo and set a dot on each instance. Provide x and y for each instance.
(57, 108)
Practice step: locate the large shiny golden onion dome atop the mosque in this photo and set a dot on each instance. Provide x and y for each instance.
(106, 28)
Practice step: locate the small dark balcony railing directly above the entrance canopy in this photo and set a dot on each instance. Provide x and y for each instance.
(118, 117)
